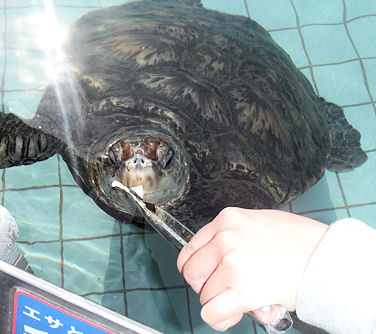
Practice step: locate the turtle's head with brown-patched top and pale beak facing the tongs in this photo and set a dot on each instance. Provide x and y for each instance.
(153, 162)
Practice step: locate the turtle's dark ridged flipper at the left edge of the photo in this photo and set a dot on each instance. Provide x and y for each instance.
(21, 144)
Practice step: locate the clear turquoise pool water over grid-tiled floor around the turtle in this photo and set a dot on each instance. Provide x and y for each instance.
(70, 242)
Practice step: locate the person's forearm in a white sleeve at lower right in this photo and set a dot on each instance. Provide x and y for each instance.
(338, 290)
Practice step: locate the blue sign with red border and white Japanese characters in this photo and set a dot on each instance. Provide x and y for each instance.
(32, 315)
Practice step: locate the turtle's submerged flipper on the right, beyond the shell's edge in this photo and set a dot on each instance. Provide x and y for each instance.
(345, 151)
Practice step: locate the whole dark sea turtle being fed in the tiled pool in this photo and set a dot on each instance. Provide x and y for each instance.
(202, 108)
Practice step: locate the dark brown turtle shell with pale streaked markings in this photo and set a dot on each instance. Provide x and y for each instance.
(248, 121)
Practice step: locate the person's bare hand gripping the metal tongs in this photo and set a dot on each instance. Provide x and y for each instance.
(246, 259)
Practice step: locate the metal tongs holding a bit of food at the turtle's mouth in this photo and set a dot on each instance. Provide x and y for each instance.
(179, 235)
